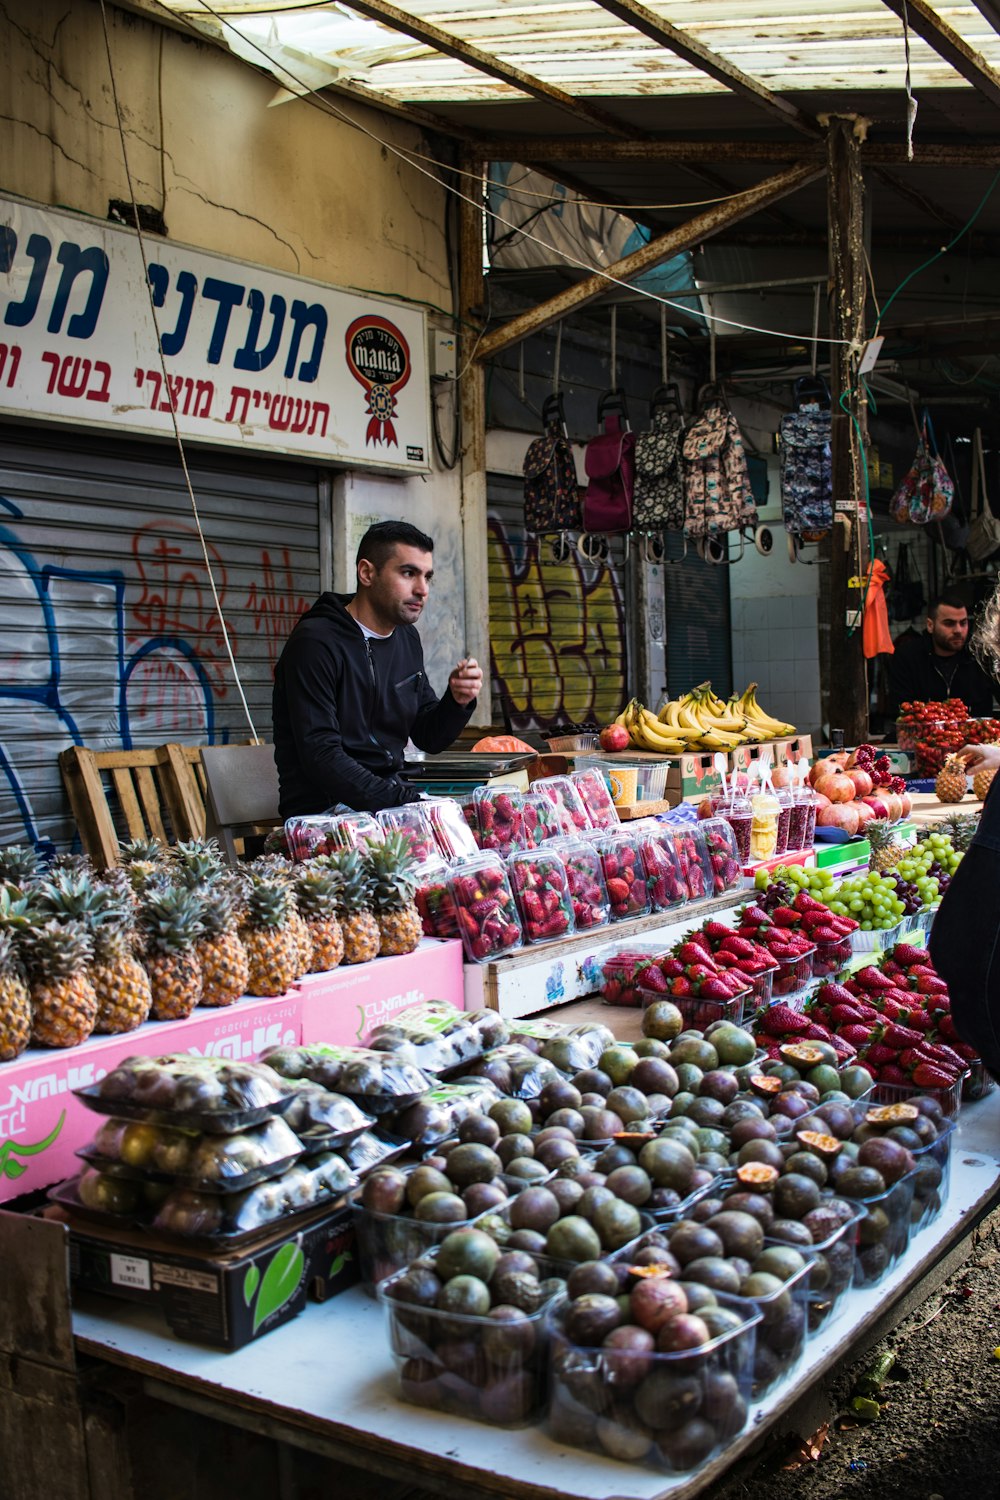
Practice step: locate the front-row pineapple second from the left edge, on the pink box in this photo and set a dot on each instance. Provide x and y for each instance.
(64, 1001)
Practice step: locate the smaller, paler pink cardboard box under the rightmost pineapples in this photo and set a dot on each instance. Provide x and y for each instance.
(346, 1006)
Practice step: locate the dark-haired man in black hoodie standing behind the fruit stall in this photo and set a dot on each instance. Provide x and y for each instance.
(350, 686)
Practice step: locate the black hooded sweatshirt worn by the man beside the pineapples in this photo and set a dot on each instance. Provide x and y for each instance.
(344, 709)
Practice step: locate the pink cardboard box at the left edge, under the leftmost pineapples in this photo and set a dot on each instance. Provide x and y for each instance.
(43, 1124)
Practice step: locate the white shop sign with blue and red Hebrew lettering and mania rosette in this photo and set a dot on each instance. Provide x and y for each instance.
(256, 359)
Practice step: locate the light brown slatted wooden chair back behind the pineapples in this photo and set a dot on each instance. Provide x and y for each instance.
(157, 793)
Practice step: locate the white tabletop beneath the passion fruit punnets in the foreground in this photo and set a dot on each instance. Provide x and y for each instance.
(326, 1381)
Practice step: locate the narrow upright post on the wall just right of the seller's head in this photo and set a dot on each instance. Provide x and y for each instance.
(473, 406)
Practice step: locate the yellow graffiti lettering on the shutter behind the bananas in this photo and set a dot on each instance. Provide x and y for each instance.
(557, 635)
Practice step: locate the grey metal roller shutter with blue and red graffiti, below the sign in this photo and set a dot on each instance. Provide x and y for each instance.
(109, 631)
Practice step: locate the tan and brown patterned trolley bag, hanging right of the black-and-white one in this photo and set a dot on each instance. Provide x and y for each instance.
(716, 479)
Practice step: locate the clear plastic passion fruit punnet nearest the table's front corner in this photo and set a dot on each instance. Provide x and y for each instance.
(605, 1402)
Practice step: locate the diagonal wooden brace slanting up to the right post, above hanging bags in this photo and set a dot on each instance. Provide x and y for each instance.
(653, 254)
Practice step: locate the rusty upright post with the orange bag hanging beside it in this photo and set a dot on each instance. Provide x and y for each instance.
(842, 658)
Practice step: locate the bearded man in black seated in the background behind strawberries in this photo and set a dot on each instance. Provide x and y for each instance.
(939, 665)
